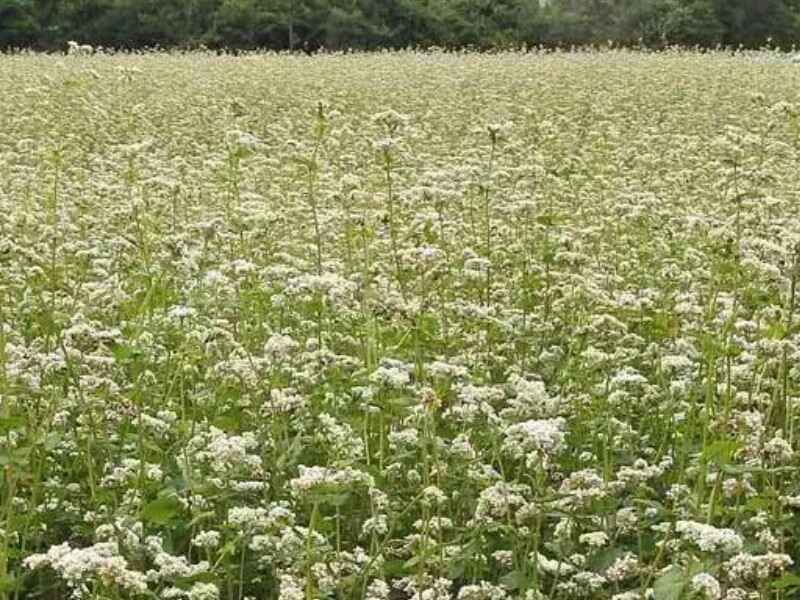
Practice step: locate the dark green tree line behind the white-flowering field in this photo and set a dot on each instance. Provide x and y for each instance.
(370, 24)
